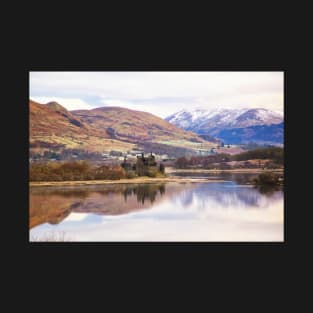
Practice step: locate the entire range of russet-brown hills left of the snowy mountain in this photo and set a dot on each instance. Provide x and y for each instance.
(52, 127)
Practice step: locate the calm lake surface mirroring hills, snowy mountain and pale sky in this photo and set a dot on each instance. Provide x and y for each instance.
(215, 211)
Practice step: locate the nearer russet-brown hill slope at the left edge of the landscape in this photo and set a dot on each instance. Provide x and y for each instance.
(51, 126)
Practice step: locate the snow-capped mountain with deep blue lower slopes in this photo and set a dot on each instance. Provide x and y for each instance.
(232, 125)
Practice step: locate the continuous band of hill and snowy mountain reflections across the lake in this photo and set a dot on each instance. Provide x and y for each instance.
(53, 205)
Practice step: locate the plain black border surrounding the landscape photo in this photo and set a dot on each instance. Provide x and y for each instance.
(253, 276)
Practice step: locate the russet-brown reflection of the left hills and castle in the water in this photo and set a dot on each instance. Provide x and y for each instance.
(49, 205)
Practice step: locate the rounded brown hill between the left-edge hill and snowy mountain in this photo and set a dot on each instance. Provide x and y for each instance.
(136, 126)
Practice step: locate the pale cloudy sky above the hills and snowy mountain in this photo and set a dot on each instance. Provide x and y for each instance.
(160, 93)
